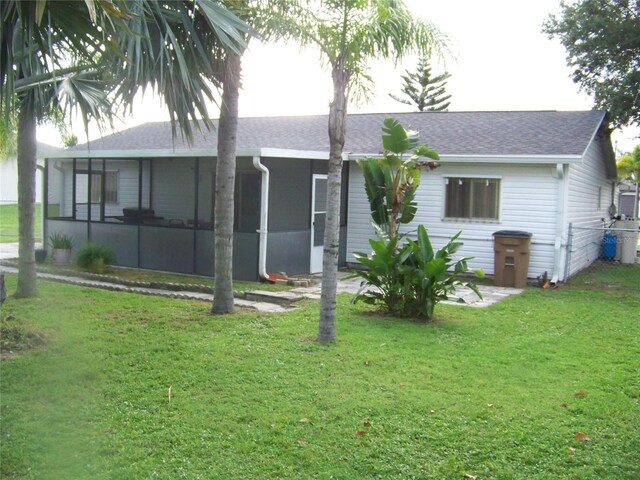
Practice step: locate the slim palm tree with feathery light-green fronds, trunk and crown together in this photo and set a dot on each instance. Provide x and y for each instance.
(350, 33)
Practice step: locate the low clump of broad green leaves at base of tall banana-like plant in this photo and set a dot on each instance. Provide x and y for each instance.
(409, 280)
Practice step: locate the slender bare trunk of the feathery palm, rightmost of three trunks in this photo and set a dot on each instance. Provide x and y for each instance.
(337, 118)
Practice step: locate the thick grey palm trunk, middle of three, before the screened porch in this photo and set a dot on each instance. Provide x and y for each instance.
(225, 186)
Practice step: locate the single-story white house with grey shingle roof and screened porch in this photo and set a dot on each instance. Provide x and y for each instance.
(151, 197)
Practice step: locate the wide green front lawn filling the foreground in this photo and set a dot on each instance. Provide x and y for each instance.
(545, 385)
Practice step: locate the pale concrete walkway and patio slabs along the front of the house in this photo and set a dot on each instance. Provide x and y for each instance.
(260, 300)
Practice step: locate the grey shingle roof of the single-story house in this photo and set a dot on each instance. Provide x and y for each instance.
(450, 133)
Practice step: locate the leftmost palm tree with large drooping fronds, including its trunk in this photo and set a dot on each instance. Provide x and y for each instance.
(75, 54)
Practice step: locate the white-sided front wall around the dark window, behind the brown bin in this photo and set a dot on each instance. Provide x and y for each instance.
(528, 202)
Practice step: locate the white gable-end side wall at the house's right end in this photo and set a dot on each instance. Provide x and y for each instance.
(590, 194)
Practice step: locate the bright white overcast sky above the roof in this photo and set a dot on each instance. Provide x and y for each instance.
(499, 60)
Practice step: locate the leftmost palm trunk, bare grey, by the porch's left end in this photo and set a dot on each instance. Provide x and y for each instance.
(27, 151)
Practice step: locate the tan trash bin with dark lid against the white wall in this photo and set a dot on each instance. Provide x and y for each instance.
(511, 258)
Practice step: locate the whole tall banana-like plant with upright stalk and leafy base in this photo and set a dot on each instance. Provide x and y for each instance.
(406, 277)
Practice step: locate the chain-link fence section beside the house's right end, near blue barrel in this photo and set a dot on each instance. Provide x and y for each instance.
(604, 255)
